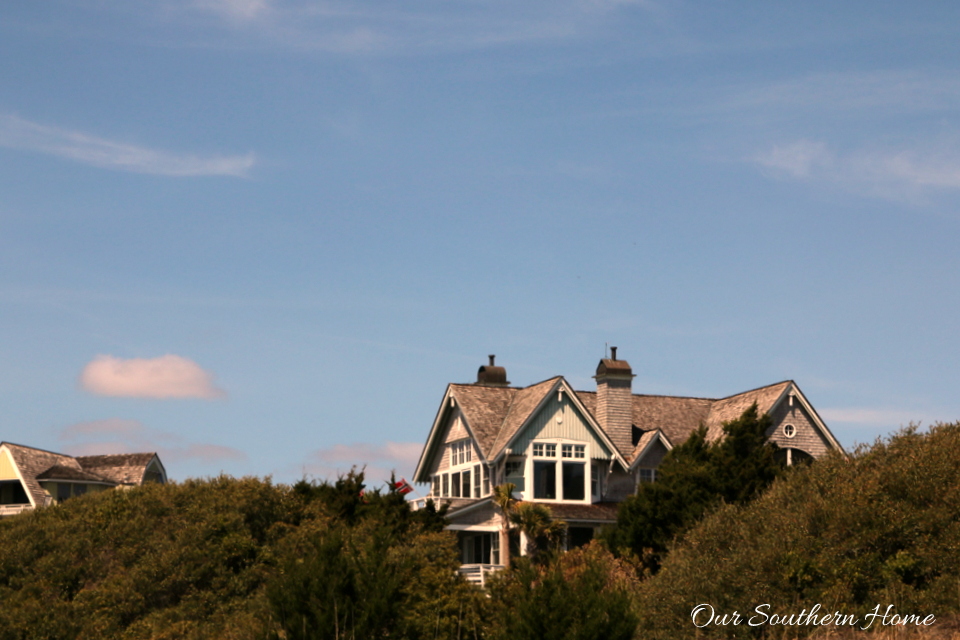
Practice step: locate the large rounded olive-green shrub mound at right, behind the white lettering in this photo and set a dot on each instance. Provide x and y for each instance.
(879, 527)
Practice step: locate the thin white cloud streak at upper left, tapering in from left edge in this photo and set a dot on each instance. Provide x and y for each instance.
(17, 133)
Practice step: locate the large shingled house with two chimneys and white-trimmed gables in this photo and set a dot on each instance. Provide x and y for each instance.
(580, 452)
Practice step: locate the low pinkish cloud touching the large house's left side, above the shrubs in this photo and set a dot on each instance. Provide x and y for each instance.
(379, 460)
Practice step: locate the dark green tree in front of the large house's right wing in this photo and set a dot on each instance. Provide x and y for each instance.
(694, 478)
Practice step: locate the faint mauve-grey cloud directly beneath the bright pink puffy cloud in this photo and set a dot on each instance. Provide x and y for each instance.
(118, 435)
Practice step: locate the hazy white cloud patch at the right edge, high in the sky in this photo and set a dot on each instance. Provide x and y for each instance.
(898, 174)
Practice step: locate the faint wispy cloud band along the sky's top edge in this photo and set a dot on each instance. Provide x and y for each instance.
(384, 26)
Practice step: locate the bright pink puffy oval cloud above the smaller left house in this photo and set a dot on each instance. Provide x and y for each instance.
(168, 376)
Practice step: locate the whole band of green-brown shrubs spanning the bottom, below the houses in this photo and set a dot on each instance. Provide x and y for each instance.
(247, 559)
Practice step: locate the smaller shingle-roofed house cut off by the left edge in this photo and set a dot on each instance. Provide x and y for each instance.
(31, 478)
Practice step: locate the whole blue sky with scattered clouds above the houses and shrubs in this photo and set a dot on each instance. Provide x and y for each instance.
(260, 236)
